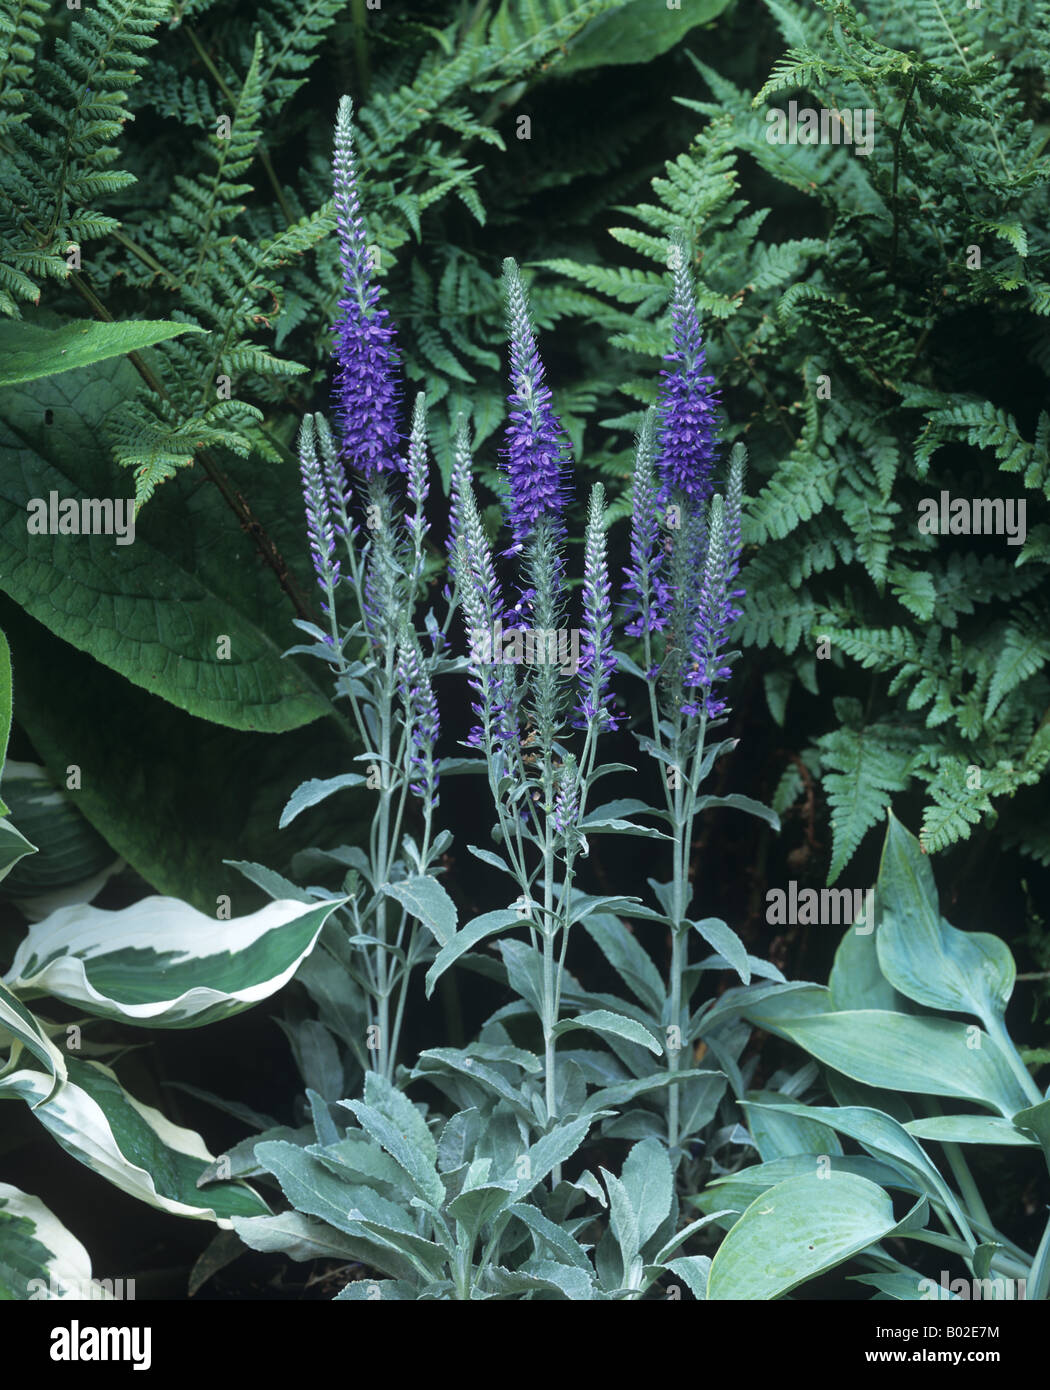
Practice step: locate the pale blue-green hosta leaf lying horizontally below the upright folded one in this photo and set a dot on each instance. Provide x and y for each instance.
(905, 1053)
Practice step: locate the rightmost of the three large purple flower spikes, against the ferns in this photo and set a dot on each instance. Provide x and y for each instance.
(688, 405)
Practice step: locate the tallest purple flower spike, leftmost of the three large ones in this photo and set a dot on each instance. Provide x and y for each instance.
(366, 393)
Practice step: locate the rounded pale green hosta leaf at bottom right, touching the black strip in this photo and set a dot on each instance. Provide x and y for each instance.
(800, 1229)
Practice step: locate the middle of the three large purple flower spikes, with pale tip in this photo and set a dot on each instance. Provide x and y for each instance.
(538, 451)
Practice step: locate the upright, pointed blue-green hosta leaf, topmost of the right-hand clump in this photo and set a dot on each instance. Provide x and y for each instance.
(920, 954)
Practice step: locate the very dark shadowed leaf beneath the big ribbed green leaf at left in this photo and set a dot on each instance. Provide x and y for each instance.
(222, 787)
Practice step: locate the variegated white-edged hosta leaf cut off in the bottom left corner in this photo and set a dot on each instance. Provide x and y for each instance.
(40, 1259)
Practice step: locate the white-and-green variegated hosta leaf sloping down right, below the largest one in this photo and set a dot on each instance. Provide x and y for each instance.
(131, 1145)
